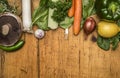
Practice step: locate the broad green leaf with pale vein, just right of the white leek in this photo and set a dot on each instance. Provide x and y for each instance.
(40, 15)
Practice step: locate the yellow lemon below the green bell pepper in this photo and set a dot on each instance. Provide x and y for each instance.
(107, 29)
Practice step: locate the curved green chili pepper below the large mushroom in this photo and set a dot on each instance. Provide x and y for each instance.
(15, 47)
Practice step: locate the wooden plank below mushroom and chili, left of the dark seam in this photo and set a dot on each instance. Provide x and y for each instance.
(22, 63)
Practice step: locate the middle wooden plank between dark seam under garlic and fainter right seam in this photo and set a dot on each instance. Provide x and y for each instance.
(59, 57)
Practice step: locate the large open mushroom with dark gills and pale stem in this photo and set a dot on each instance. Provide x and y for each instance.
(10, 29)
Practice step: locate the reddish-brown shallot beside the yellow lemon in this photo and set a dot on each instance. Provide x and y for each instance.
(89, 25)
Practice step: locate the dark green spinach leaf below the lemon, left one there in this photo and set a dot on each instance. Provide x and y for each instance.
(103, 43)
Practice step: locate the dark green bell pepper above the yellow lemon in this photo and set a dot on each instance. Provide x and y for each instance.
(108, 9)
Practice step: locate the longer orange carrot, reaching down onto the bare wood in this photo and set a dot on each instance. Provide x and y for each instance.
(77, 17)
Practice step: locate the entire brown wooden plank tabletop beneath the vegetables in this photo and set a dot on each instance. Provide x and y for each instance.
(56, 57)
